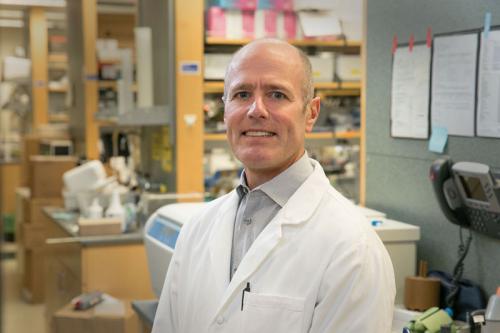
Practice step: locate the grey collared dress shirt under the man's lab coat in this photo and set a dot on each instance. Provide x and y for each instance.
(258, 207)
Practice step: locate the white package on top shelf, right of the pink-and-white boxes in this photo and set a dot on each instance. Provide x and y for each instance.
(322, 23)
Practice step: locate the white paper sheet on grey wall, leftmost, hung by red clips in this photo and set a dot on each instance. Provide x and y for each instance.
(410, 92)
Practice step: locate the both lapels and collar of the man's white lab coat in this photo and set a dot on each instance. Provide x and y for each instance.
(298, 209)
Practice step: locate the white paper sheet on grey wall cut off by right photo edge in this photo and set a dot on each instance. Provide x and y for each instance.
(488, 106)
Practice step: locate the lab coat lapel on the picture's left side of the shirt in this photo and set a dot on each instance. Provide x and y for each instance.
(221, 240)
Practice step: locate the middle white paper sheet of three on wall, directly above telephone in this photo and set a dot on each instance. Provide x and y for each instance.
(454, 83)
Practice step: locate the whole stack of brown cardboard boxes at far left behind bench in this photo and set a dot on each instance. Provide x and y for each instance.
(43, 187)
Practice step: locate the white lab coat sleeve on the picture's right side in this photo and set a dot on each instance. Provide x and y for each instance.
(357, 291)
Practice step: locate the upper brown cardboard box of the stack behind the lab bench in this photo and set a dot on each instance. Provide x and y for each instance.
(46, 175)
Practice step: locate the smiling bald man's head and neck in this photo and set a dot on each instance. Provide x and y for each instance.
(269, 106)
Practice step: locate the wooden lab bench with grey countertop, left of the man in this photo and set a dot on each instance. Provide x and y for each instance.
(113, 264)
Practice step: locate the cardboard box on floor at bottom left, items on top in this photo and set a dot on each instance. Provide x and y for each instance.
(68, 320)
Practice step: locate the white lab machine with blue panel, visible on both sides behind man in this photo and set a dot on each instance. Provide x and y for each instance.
(163, 227)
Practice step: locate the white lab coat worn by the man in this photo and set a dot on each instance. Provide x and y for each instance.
(317, 267)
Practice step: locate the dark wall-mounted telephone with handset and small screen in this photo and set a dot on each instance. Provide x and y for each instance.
(468, 194)
